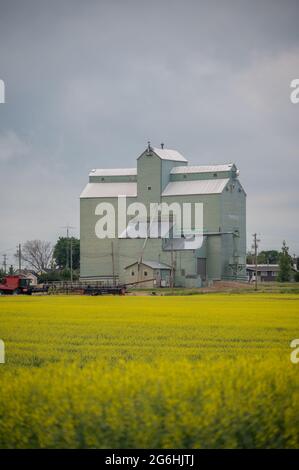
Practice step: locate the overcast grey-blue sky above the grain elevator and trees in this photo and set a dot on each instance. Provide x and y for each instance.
(89, 82)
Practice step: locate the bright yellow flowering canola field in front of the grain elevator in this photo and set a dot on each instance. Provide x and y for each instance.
(205, 371)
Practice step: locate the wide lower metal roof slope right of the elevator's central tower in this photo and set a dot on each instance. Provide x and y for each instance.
(181, 188)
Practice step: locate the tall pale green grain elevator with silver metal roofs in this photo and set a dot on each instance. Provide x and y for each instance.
(163, 175)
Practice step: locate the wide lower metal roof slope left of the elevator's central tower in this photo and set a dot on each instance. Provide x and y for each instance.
(109, 190)
